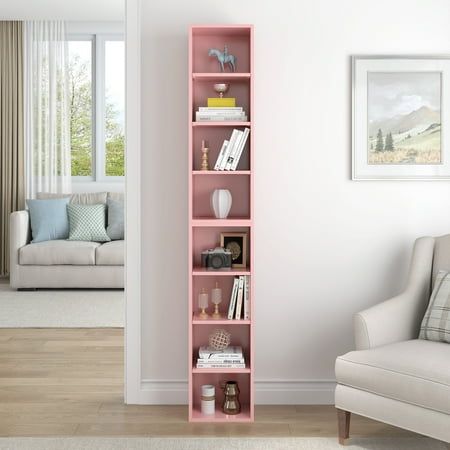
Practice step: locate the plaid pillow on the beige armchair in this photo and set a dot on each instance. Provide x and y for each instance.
(436, 322)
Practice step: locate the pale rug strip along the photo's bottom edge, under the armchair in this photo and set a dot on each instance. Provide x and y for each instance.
(243, 443)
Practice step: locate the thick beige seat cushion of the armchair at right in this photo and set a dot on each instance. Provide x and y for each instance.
(416, 372)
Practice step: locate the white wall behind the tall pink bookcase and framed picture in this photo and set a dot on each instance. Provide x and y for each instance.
(325, 246)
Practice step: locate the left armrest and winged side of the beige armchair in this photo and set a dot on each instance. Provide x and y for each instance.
(399, 318)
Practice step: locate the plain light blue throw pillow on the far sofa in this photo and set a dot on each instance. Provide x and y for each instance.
(49, 219)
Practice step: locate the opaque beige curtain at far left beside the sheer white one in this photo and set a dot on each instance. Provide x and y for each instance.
(11, 132)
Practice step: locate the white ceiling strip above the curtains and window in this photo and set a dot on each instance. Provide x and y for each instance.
(76, 10)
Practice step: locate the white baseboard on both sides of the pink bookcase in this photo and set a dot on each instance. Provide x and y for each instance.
(267, 392)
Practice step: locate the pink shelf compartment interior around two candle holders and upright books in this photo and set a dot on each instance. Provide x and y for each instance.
(209, 282)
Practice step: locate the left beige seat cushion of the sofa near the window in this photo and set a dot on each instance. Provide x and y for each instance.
(58, 252)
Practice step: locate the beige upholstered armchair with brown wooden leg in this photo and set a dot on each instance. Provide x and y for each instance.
(392, 376)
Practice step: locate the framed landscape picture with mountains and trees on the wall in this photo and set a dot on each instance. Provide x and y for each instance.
(398, 108)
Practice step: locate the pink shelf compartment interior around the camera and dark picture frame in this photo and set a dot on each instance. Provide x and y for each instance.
(204, 238)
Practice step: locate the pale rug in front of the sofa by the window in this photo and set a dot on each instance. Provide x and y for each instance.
(61, 308)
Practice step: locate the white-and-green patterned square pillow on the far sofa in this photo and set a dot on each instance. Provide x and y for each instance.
(87, 223)
